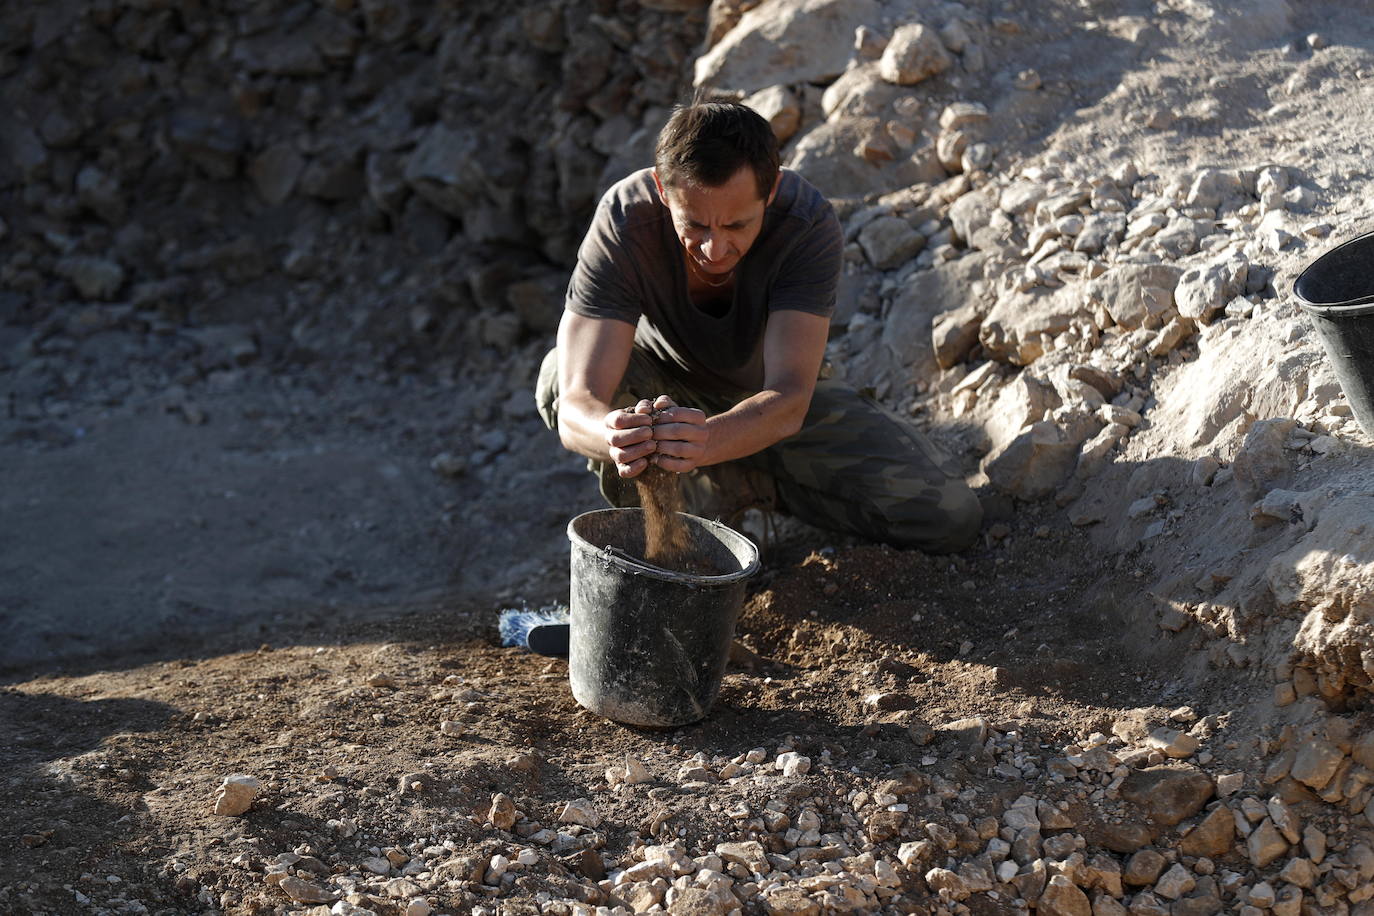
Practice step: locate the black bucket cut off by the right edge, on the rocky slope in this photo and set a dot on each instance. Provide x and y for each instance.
(1338, 292)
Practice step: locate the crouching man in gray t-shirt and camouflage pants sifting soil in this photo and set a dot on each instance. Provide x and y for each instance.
(693, 336)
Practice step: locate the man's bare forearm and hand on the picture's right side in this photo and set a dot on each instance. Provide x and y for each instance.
(795, 344)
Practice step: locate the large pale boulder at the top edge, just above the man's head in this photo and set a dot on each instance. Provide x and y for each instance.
(787, 42)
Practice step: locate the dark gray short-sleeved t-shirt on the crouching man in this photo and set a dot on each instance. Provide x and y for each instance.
(630, 268)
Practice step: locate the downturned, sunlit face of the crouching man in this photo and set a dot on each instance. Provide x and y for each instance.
(718, 226)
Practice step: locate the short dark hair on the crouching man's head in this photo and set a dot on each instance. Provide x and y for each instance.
(706, 144)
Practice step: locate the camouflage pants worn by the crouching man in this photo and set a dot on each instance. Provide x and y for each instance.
(854, 468)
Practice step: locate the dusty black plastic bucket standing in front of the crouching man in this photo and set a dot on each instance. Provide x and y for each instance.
(649, 646)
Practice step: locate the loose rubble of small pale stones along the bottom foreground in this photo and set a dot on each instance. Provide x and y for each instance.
(1138, 823)
